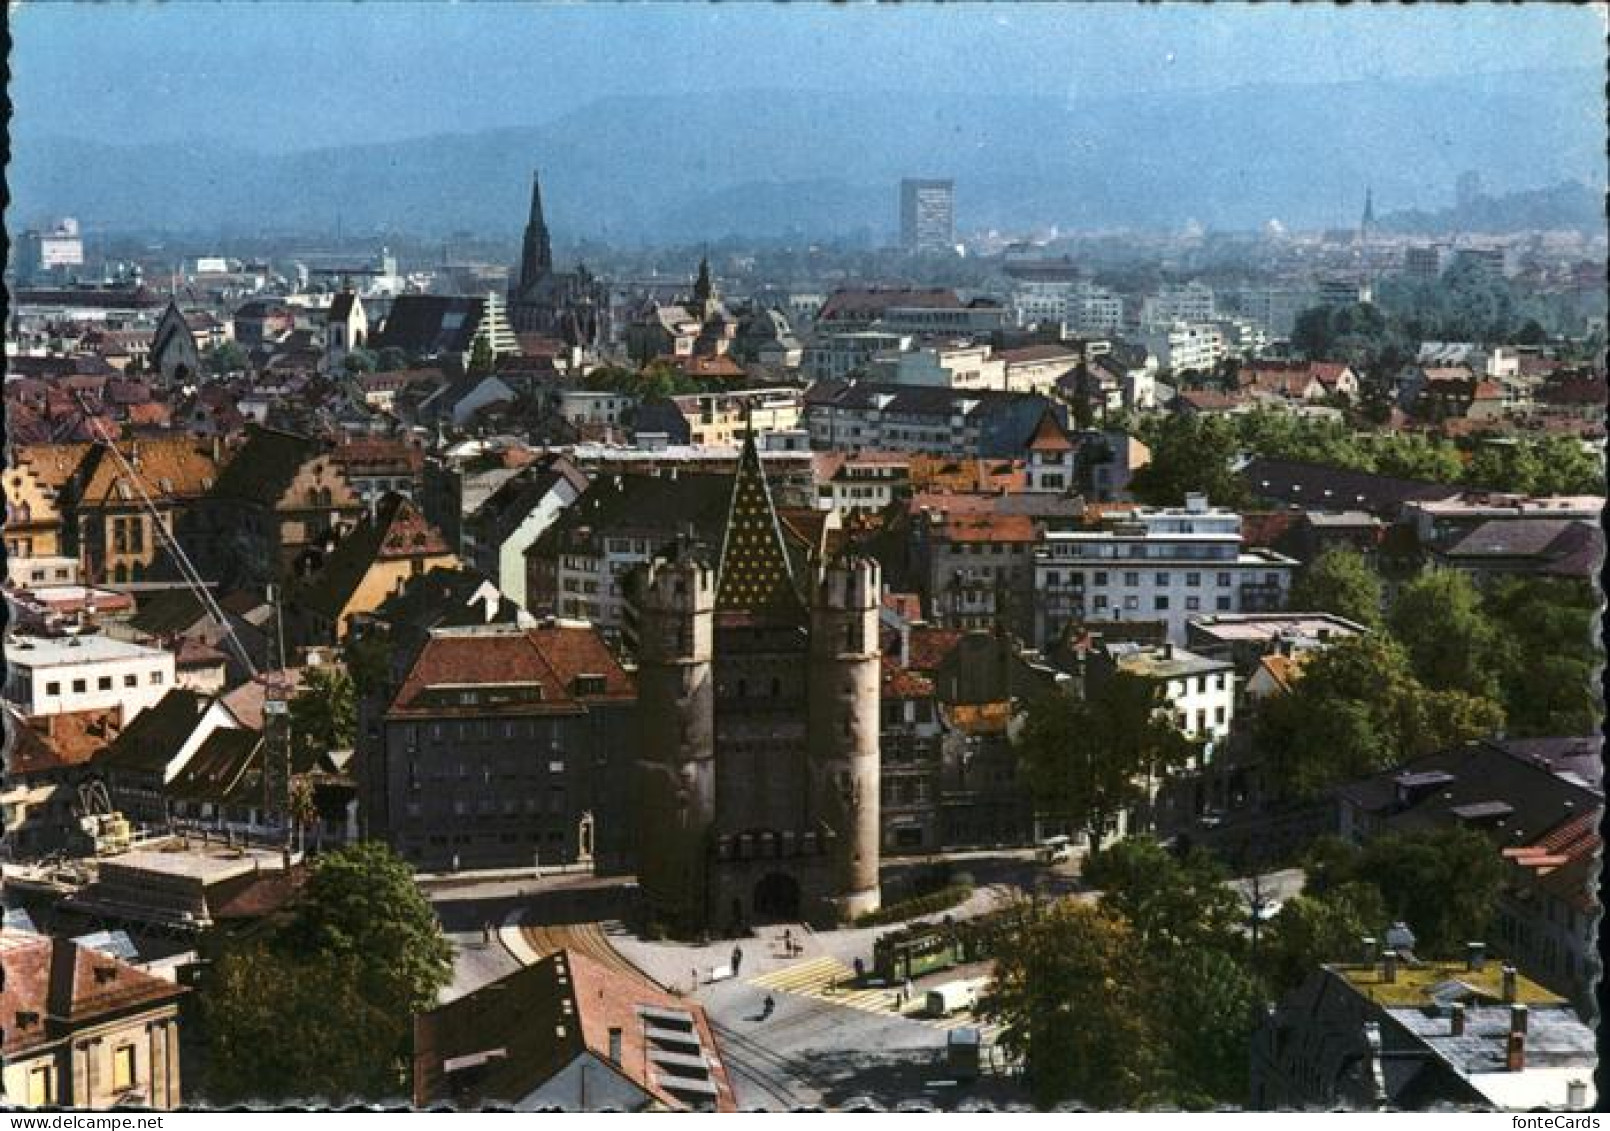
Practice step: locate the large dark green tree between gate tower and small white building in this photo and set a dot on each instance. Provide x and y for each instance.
(1092, 760)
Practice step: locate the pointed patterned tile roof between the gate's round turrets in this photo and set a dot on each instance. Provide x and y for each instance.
(756, 576)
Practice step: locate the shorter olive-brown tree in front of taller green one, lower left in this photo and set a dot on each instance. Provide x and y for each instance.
(284, 1029)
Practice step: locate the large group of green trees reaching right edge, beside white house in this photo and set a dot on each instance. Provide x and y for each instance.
(1447, 663)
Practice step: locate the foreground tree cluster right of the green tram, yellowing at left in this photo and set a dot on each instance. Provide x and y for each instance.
(1149, 996)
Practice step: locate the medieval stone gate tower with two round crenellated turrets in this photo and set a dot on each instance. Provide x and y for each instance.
(759, 716)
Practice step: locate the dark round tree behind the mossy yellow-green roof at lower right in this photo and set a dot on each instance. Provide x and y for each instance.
(1443, 882)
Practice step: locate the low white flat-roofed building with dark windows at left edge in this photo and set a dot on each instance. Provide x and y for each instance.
(51, 676)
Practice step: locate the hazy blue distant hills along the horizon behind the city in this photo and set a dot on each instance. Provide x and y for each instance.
(769, 164)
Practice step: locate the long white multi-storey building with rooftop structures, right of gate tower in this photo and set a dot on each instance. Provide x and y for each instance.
(1163, 565)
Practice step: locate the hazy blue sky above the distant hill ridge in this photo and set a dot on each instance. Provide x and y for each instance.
(283, 77)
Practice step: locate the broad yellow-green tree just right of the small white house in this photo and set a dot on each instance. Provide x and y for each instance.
(1356, 710)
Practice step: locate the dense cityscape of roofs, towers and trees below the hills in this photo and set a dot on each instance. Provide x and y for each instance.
(962, 666)
